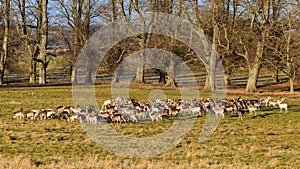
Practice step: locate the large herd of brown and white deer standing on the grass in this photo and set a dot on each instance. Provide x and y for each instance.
(122, 110)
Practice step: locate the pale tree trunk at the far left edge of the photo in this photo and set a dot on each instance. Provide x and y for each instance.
(4, 51)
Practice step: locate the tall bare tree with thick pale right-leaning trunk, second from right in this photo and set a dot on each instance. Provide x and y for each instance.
(256, 31)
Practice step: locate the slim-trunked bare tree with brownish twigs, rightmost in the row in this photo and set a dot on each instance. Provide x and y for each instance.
(284, 42)
